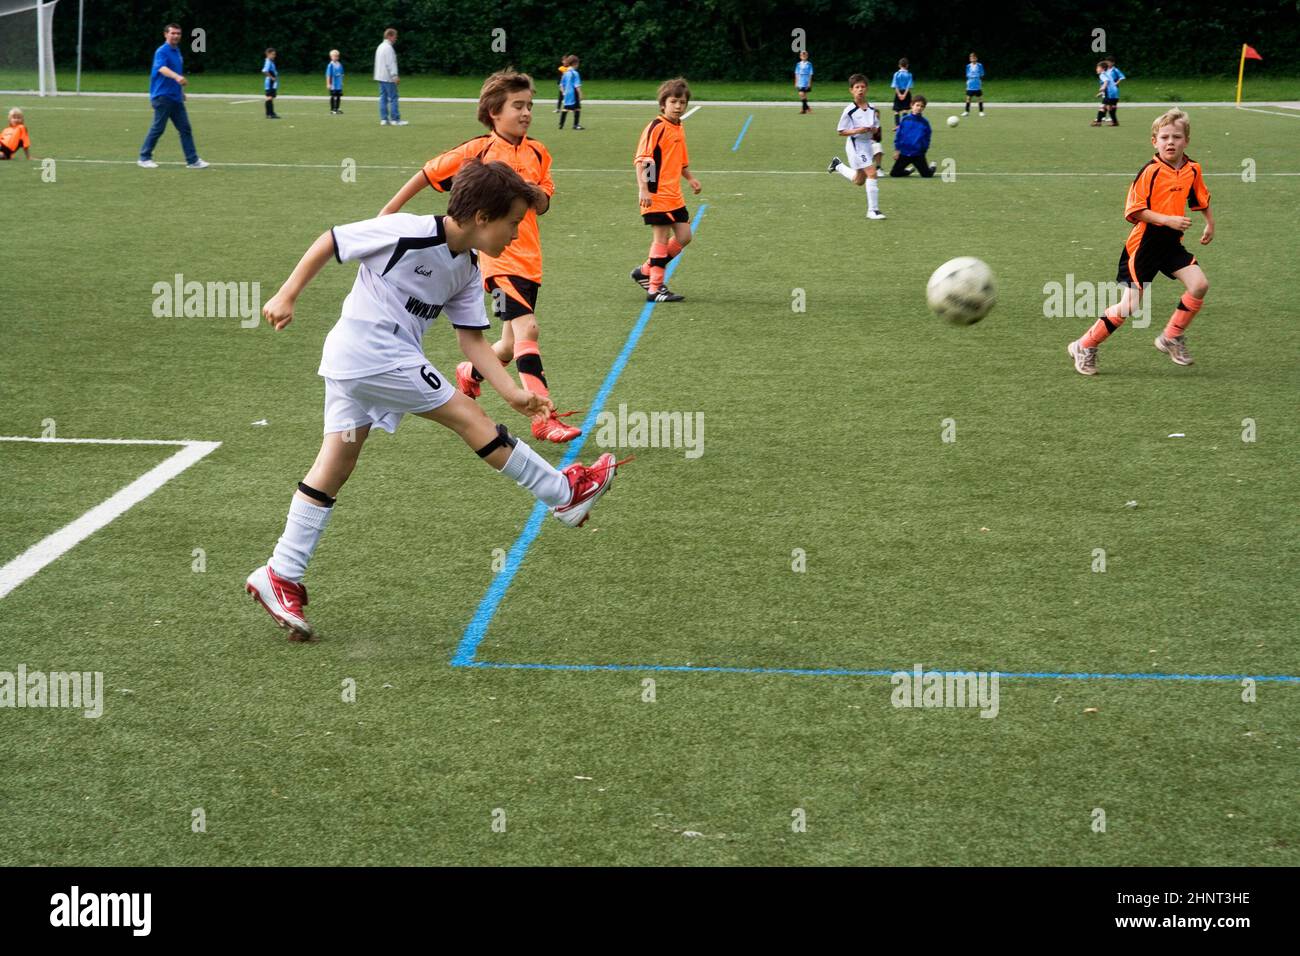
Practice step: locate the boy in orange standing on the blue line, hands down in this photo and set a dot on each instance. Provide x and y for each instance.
(662, 165)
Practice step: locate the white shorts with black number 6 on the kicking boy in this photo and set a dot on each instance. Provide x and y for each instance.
(383, 400)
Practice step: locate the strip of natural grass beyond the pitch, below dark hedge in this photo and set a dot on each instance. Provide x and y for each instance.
(1210, 89)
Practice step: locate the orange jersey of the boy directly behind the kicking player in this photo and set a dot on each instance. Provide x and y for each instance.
(532, 162)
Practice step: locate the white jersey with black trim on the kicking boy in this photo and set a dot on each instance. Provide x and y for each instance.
(408, 278)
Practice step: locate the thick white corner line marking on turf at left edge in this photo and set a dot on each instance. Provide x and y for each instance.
(54, 547)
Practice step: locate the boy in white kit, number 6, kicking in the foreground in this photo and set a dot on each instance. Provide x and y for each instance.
(413, 270)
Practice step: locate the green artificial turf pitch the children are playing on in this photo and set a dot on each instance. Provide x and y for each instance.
(824, 432)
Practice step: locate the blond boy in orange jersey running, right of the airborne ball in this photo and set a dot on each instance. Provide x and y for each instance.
(1156, 207)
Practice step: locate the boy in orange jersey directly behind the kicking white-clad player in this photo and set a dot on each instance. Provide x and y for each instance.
(515, 278)
